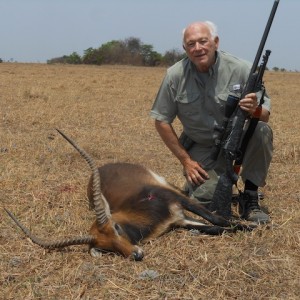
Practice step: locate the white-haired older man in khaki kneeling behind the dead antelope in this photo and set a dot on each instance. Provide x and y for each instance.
(195, 90)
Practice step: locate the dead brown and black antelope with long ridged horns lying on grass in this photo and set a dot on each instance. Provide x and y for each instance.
(133, 204)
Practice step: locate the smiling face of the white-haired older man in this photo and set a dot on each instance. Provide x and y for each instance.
(200, 47)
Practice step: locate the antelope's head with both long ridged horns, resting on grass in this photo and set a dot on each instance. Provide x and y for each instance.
(105, 233)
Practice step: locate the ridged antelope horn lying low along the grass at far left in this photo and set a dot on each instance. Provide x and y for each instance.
(51, 245)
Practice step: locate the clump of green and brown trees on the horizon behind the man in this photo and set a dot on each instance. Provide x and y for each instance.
(130, 51)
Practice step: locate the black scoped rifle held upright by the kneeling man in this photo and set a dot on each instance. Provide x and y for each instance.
(229, 134)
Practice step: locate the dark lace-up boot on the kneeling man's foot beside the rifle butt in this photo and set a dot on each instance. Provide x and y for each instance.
(249, 208)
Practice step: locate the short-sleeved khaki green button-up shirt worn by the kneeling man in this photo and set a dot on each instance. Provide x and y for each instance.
(199, 99)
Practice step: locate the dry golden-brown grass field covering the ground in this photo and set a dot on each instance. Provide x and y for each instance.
(43, 181)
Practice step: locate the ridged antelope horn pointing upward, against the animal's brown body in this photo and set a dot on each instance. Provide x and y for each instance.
(102, 209)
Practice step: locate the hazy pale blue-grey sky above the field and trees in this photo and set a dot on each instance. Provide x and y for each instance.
(38, 30)
